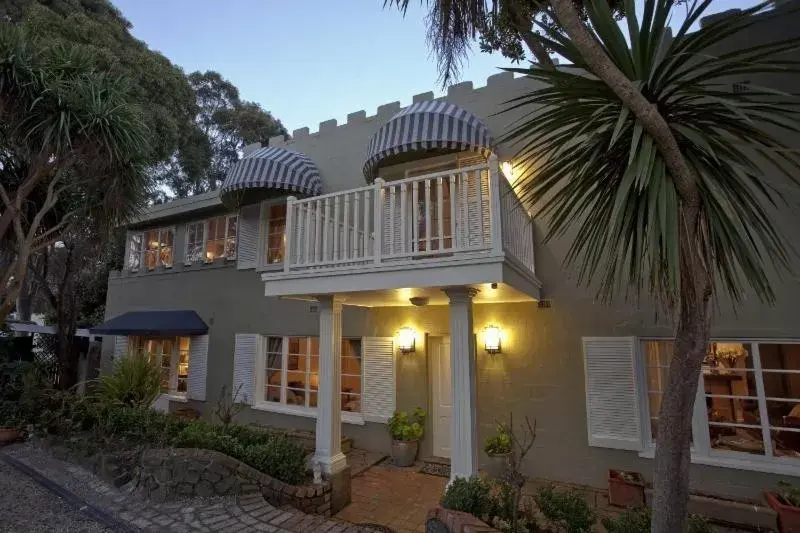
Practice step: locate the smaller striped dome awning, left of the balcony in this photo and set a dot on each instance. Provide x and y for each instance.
(271, 167)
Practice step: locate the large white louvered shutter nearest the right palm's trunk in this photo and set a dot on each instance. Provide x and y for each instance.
(612, 400)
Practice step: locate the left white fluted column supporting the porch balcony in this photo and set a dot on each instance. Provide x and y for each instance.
(329, 417)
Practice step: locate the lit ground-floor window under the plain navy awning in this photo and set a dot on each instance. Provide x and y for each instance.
(171, 354)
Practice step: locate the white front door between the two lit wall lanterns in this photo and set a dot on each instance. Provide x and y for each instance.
(442, 395)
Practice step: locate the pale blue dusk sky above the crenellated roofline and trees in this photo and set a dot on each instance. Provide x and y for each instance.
(308, 61)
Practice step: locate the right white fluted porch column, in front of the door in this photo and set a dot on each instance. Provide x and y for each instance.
(464, 428)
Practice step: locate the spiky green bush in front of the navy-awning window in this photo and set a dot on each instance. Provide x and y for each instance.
(135, 382)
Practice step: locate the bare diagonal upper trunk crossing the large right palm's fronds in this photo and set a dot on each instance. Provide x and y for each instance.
(644, 111)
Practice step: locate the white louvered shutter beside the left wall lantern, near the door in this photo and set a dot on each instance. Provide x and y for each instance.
(379, 381)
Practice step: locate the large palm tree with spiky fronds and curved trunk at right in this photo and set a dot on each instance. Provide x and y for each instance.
(657, 166)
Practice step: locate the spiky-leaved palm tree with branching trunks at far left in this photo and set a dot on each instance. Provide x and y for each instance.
(71, 148)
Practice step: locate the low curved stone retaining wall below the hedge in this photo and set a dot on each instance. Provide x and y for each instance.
(165, 474)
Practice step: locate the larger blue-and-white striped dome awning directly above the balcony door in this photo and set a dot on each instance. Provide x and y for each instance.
(427, 125)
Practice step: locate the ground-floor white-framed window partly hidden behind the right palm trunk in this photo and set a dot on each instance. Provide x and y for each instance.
(749, 398)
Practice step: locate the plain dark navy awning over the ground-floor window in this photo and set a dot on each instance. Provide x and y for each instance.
(179, 322)
